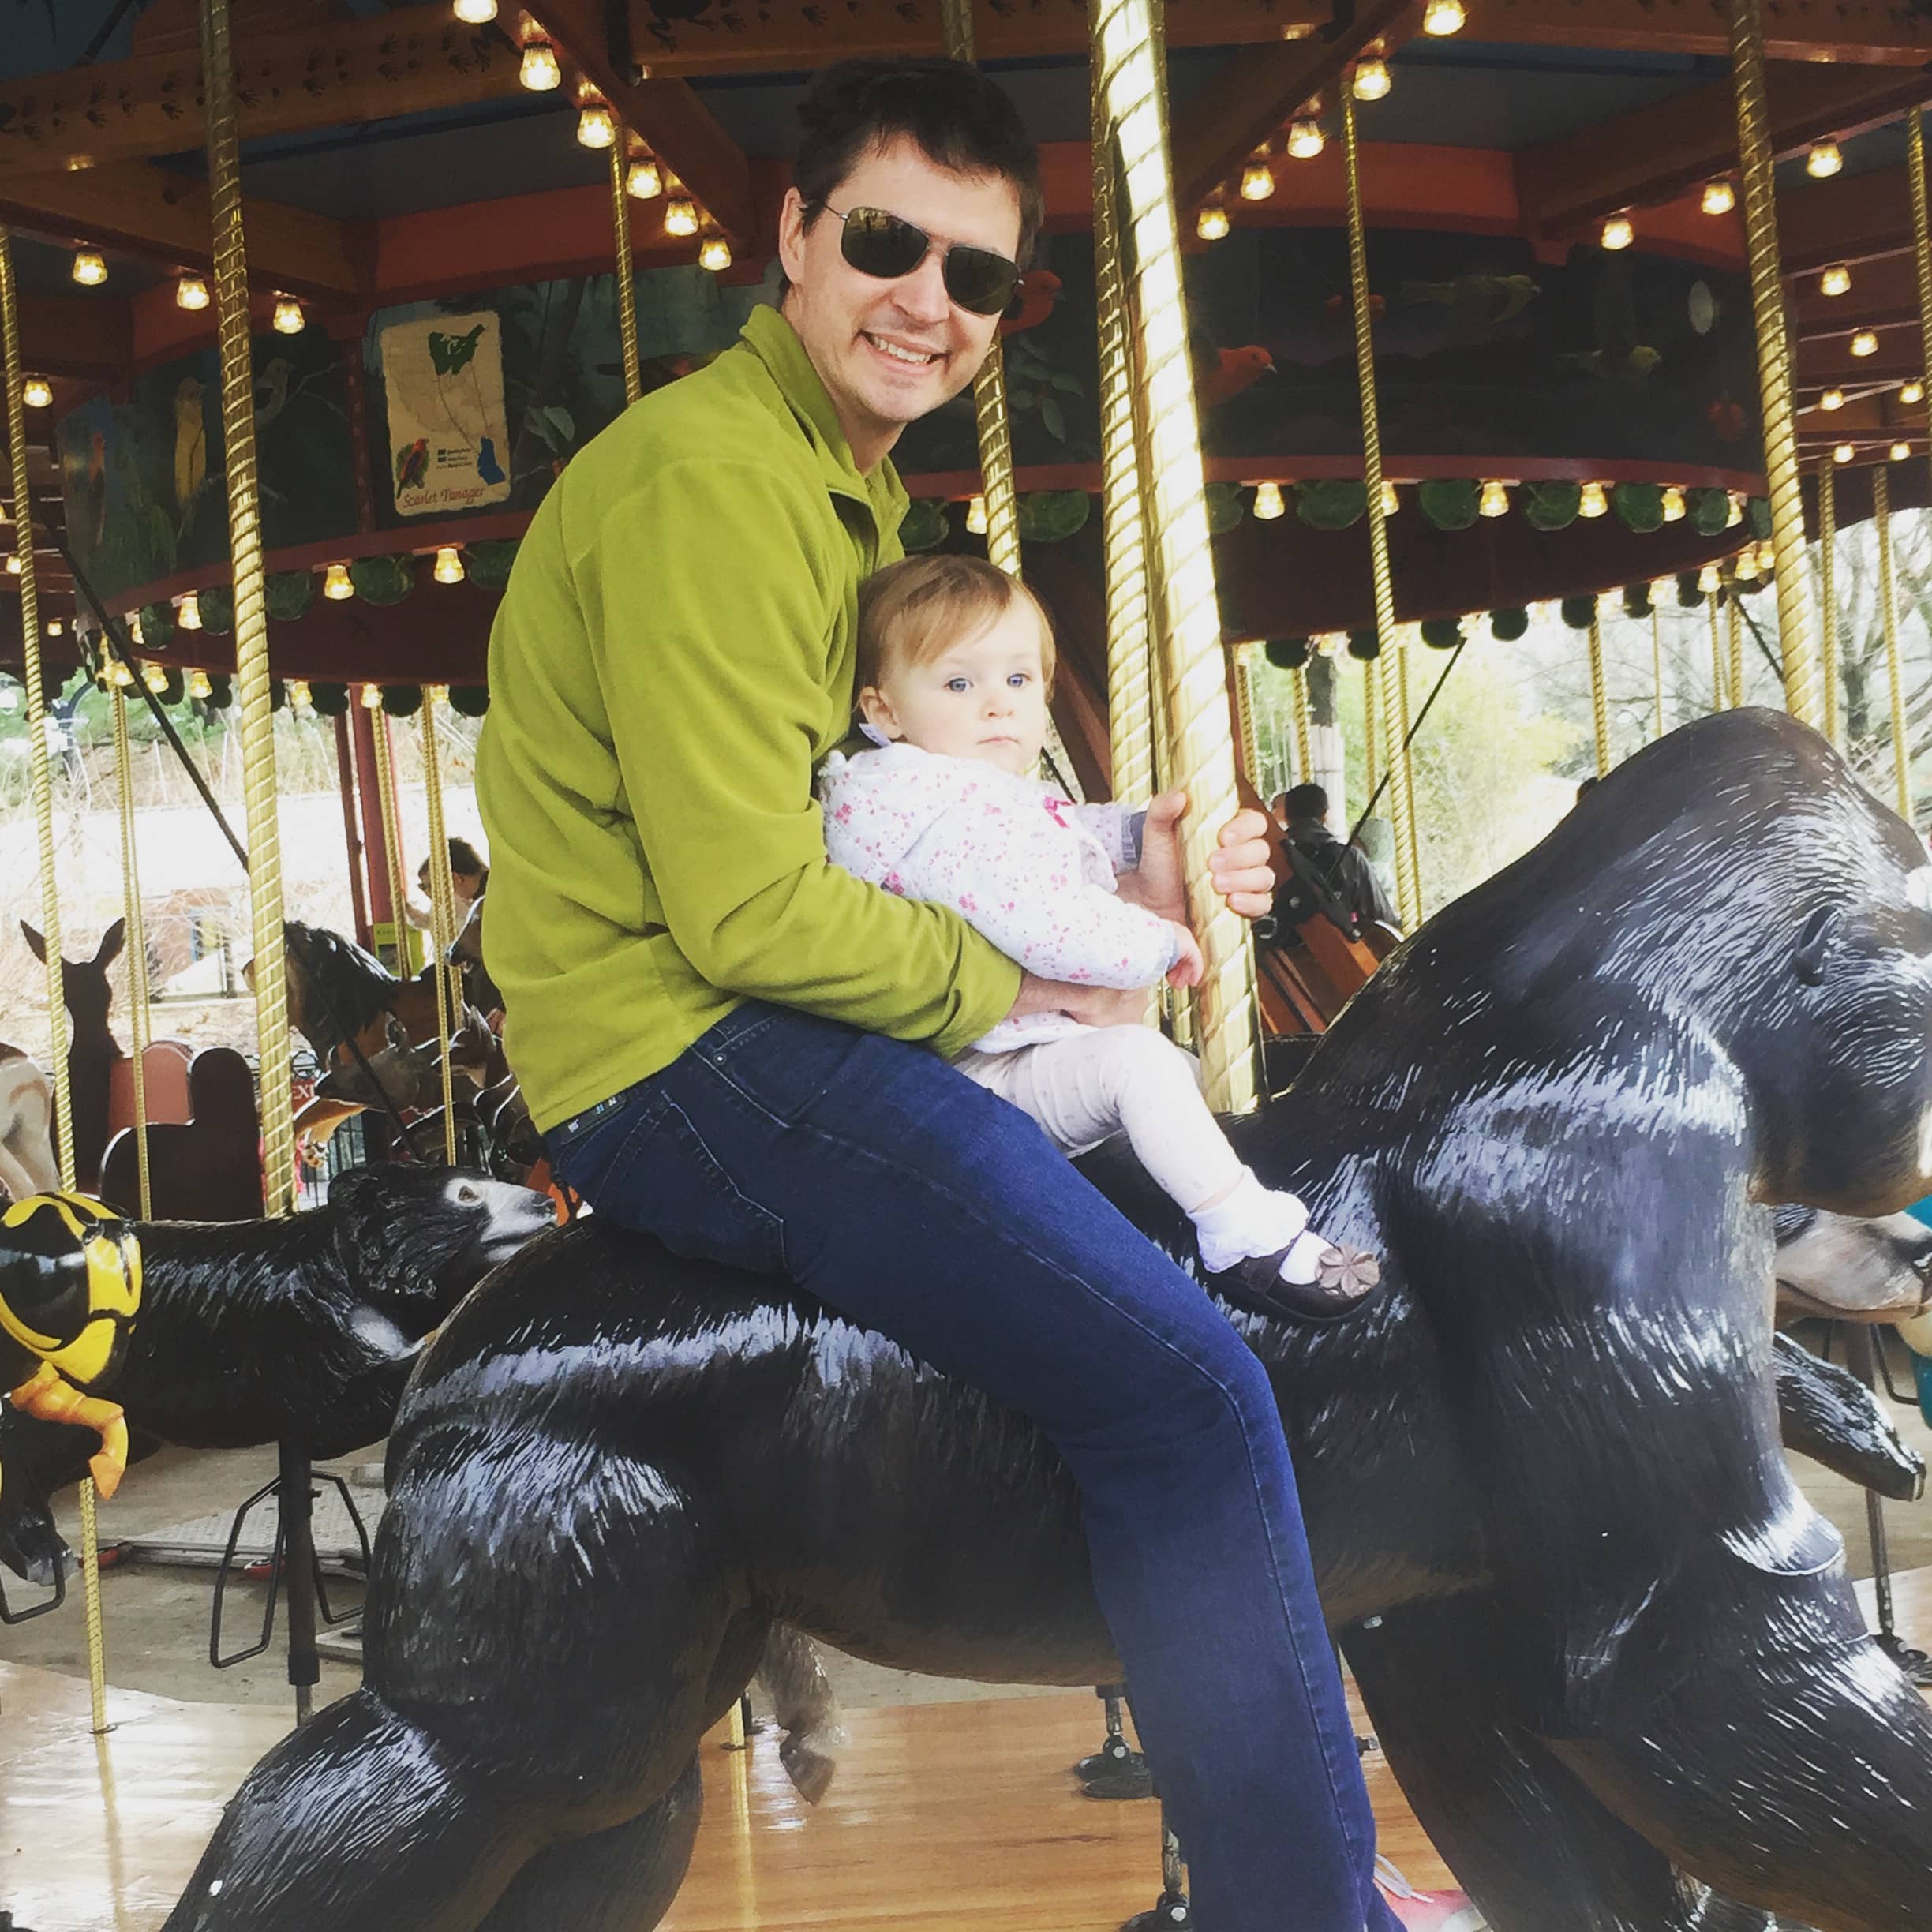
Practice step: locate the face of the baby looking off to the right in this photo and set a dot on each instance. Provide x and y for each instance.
(984, 698)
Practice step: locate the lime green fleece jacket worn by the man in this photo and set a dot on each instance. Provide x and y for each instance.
(671, 662)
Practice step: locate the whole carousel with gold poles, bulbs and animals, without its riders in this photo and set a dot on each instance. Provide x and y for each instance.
(1355, 329)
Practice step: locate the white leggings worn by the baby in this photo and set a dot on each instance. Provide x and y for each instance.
(1120, 1079)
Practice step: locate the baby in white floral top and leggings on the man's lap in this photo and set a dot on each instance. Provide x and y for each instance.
(955, 662)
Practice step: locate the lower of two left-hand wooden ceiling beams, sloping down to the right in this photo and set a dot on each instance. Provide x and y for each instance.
(165, 217)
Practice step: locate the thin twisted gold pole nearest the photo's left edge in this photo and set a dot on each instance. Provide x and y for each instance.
(43, 822)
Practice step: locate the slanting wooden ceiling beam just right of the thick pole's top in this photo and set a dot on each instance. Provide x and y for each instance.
(1257, 92)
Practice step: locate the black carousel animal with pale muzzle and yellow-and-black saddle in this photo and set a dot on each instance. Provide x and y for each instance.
(293, 1332)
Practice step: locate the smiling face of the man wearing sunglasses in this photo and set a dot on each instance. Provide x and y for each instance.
(892, 353)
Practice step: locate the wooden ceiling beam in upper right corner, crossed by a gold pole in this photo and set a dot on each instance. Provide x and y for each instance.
(1659, 152)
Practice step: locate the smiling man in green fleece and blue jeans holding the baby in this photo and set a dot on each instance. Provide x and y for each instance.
(743, 1050)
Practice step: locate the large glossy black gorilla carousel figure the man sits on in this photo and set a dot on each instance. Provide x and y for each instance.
(1612, 1655)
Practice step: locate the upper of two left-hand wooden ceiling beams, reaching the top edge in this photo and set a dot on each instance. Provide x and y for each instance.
(399, 63)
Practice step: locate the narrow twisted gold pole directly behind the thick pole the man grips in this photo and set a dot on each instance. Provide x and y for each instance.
(1123, 526)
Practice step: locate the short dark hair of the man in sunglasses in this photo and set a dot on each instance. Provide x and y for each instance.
(952, 113)
